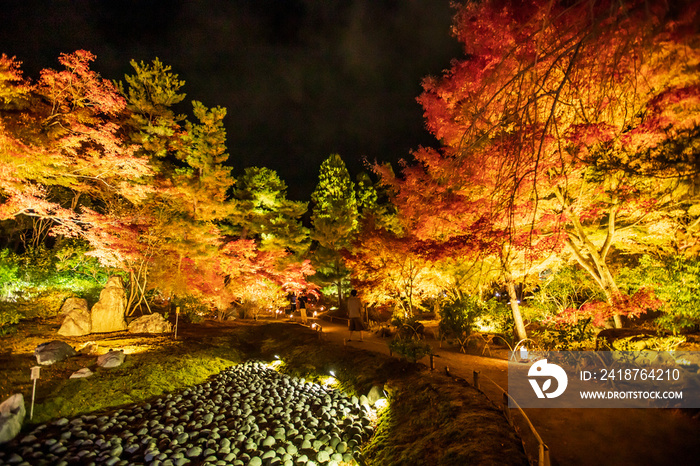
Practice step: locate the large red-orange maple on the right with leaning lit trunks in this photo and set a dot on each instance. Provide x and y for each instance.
(554, 129)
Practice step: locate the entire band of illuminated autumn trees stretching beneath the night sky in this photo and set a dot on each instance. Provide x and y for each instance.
(567, 137)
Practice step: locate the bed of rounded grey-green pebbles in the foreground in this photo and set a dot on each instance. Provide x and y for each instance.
(248, 414)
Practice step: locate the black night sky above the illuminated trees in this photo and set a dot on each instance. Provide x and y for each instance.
(301, 79)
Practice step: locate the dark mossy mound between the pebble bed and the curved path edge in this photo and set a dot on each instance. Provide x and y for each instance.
(435, 420)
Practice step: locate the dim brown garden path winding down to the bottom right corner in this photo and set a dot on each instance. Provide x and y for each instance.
(576, 437)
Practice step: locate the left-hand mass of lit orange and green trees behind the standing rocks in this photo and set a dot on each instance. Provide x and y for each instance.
(146, 189)
